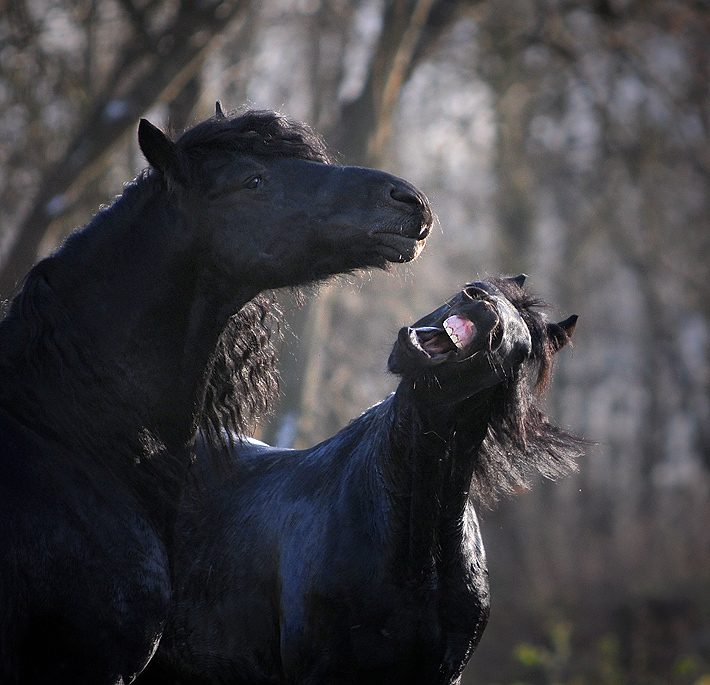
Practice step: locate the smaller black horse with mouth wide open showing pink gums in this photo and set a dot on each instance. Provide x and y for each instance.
(360, 560)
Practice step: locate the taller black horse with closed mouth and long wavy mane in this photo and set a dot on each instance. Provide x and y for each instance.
(116, 351)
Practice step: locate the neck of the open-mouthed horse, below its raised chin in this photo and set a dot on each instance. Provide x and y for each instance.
(428, 471)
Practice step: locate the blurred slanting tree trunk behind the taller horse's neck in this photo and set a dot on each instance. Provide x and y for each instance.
(142, 76)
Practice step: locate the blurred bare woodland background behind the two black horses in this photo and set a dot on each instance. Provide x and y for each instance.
(567, 140)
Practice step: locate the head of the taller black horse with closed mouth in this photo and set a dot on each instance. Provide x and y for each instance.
(270, 208)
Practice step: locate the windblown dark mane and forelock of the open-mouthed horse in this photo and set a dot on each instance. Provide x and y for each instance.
(520, 439)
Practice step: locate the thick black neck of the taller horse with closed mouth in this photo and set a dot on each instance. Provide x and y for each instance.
(109, 343)
